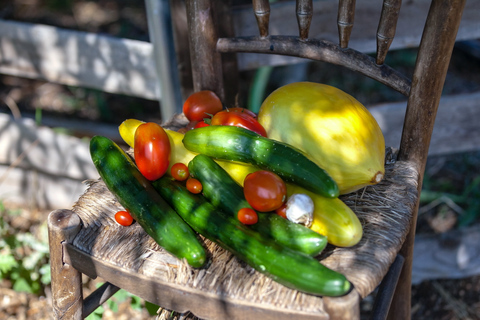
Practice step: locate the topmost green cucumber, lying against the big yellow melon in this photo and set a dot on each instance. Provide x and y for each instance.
(239, 144)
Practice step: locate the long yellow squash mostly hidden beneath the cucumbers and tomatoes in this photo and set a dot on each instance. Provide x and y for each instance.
(331, 217)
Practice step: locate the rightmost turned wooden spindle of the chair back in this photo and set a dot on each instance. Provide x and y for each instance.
(386, 28)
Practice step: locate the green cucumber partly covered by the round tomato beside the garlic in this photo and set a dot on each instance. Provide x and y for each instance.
(223, 192)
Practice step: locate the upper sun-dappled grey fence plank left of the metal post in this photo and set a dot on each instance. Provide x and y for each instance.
(78, 59)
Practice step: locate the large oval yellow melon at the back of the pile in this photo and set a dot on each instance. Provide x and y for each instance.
(331, 127)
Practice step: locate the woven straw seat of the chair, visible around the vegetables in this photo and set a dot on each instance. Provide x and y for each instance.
(229, 288)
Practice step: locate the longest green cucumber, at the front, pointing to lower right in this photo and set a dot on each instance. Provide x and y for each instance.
(292, 269)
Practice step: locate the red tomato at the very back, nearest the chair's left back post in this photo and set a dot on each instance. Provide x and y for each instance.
(200, 104)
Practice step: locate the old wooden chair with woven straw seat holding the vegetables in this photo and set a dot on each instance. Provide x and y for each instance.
(86, 239)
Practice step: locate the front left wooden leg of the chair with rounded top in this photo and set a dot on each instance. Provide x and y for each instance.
(67, 294)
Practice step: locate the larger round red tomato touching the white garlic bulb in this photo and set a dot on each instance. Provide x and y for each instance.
(264, 190)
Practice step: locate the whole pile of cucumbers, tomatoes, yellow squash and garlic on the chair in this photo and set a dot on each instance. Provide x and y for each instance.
(265, 188)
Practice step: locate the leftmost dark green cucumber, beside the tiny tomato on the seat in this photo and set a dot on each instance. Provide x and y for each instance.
(147, 207)
